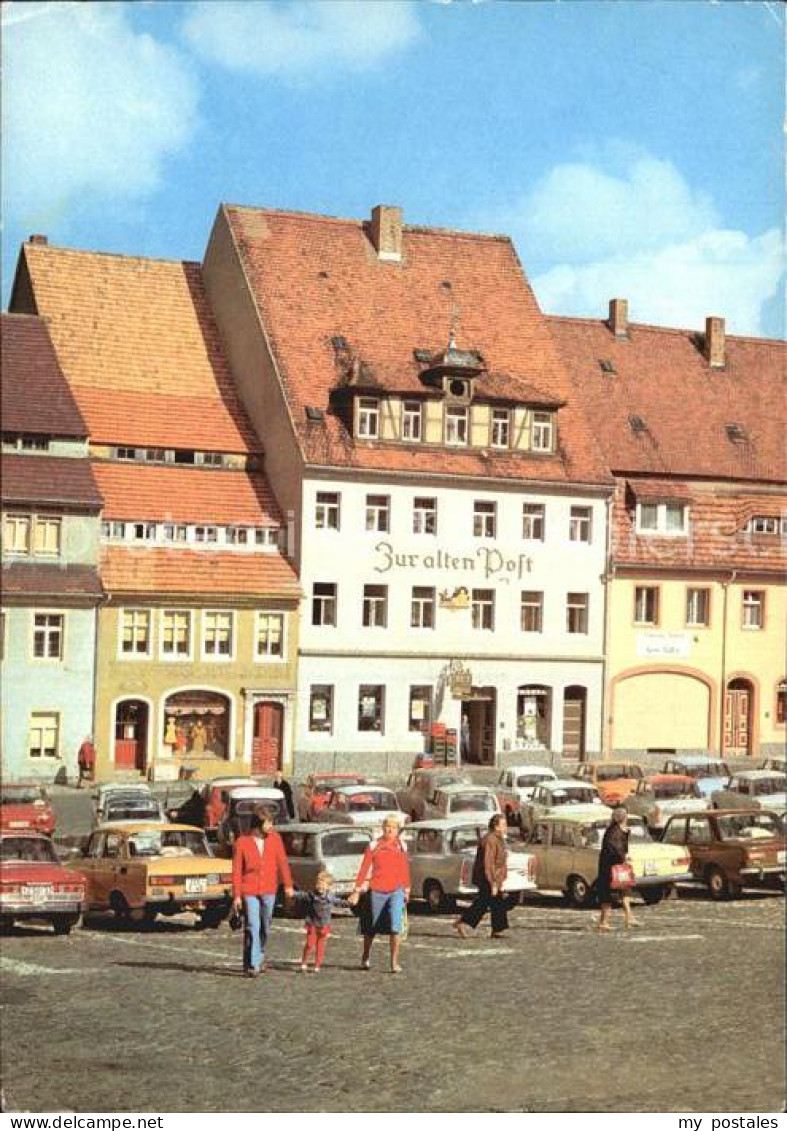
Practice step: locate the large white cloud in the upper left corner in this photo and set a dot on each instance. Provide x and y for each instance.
(91, 109)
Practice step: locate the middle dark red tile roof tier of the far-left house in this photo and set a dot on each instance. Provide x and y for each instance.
(54, 481)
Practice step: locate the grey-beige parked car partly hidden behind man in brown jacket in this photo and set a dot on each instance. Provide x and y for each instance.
(442, 858)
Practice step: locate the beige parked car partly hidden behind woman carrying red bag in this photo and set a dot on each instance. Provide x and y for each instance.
(567, 849)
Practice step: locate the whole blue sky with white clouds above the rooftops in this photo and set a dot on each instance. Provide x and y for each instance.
(632, 149)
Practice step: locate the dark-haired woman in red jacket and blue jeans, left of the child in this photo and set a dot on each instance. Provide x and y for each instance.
(258, 866)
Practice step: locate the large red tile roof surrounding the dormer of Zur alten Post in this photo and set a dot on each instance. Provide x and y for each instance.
(316, 278)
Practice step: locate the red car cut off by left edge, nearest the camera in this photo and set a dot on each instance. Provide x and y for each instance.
(36, 886)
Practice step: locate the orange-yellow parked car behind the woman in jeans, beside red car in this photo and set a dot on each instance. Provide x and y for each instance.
(141, 870)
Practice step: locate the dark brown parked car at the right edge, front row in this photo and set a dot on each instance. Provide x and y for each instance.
(733, 849)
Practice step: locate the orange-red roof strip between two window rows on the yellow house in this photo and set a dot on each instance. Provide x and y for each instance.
(186, 495)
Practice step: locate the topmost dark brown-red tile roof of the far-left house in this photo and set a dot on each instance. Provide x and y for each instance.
(36, 395)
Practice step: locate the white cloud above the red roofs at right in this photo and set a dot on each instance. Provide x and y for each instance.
(642, 234)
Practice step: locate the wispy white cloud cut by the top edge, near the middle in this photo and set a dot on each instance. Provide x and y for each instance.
(302, 37)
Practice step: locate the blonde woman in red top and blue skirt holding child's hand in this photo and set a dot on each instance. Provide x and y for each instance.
(385, 871)
